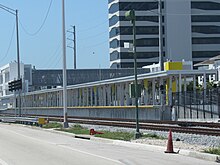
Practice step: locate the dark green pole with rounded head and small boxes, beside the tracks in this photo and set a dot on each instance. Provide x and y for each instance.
(130, 15)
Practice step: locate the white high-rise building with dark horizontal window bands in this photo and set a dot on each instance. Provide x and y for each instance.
(191, 31)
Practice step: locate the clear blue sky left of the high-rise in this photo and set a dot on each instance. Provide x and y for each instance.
(40, 34)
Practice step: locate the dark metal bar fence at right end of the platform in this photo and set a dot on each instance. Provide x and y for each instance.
(199, 104)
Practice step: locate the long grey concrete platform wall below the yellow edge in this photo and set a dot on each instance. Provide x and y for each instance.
(120, 113)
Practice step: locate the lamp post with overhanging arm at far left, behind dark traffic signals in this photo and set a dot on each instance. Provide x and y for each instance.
(15, 13)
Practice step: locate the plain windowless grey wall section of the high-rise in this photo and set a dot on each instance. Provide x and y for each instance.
(178, 30)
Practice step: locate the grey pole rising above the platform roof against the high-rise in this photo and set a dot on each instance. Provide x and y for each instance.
(160, 16)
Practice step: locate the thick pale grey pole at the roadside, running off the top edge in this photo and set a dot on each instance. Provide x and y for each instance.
(65, 122)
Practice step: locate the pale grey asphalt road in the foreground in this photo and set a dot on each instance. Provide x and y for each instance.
(22, 145)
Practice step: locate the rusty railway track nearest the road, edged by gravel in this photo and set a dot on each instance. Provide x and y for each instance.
(200, 128)
